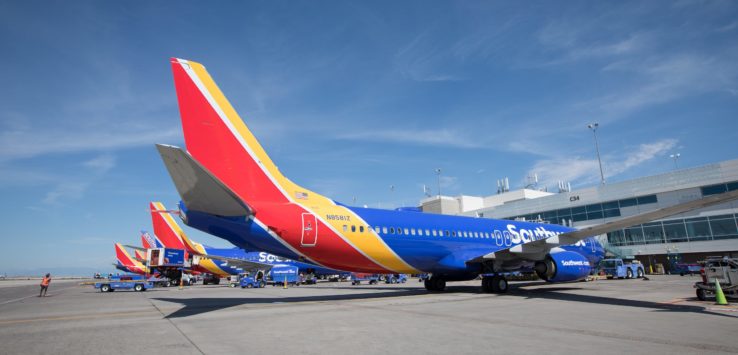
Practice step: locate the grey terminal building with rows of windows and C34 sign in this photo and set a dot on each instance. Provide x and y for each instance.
(687, 237)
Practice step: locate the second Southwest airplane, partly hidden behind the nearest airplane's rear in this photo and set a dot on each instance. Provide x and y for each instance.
(217, 260)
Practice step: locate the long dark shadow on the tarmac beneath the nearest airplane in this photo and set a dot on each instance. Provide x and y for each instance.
(194, 306)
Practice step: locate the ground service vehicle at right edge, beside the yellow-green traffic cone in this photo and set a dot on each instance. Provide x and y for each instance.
(725, 270)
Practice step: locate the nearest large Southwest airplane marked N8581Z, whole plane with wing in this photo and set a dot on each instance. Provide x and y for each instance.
(231, 188)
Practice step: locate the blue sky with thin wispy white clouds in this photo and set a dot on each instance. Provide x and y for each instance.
(349, 98)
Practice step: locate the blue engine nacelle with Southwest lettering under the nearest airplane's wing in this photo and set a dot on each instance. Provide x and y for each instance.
(563, 266)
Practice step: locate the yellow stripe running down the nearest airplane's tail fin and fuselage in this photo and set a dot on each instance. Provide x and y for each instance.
(369, 243)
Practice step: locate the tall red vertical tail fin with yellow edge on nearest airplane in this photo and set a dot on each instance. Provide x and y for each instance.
(217, 139)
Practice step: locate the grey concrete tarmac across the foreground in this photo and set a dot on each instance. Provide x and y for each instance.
(656, 316)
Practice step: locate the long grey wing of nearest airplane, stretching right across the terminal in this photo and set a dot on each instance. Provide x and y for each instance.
(536, 250)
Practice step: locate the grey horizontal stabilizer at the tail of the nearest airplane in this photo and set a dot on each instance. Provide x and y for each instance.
(199, 189)
